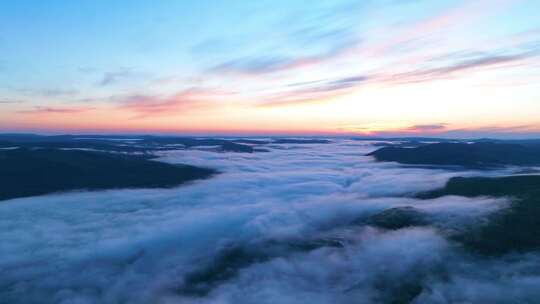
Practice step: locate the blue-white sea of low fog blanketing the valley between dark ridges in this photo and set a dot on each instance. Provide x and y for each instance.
(143, 246)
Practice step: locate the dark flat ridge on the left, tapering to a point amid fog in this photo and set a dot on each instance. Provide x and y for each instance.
(29, 172)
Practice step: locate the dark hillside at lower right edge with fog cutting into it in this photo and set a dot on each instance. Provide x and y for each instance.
(515, 228)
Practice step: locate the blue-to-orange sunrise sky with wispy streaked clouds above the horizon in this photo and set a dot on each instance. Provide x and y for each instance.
(383, 68)
